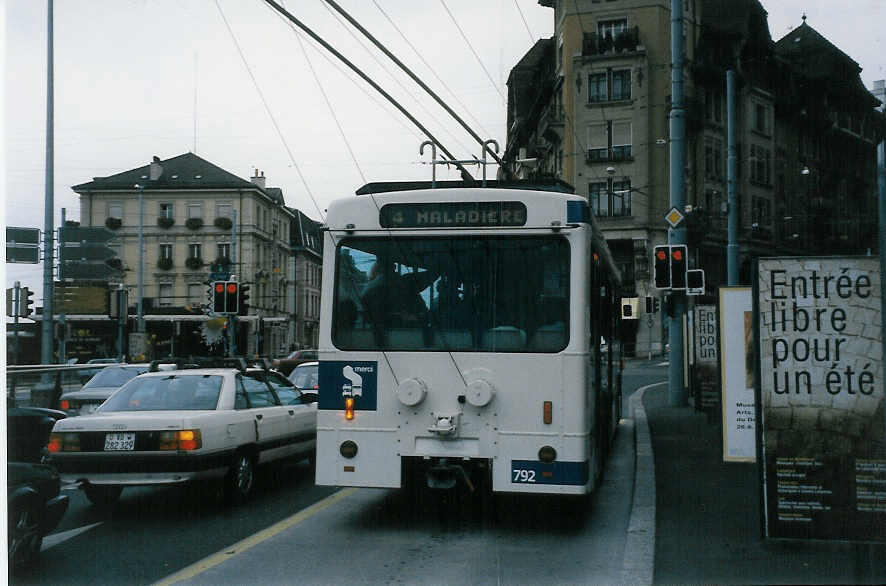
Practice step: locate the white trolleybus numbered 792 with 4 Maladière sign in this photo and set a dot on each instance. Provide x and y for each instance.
(466, 335)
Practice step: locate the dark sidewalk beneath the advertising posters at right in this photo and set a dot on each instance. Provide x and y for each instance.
(708, 515)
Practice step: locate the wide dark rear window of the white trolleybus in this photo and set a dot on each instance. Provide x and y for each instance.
(489, 293)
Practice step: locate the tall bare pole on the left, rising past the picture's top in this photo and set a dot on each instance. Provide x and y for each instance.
(46, 343)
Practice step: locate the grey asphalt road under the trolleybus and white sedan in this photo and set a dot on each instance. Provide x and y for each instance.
(364, 536)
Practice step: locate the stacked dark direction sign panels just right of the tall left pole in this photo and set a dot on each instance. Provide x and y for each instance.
(82, 253)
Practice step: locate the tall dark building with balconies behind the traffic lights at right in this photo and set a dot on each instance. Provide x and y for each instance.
(591, 106)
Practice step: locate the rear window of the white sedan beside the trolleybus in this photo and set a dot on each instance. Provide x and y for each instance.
(168, 393)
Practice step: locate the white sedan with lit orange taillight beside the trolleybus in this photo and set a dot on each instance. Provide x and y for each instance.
(173, 427)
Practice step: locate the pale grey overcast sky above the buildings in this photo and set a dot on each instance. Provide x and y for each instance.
(230, 81)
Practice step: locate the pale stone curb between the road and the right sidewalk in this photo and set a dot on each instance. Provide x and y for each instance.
(639, 554)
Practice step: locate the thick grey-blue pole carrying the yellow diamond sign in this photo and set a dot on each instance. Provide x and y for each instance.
(676, 391)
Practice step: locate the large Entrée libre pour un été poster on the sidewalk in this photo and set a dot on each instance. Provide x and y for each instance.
(821, 398)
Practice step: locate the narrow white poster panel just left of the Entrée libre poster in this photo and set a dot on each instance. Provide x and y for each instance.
(737, 374)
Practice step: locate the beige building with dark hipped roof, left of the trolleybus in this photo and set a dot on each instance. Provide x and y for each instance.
(199, 223)
